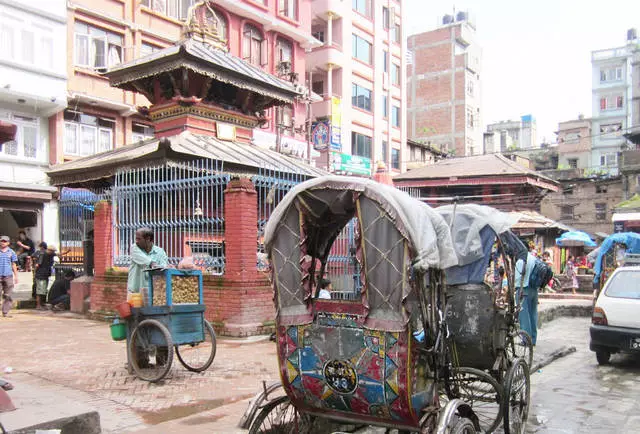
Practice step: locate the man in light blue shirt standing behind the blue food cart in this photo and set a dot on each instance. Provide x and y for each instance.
(144, 254)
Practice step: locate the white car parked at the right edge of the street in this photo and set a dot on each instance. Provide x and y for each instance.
(615, 323)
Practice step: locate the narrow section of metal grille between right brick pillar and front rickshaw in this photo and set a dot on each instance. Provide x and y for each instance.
(271, 185)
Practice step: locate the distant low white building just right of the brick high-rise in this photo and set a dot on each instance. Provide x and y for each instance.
(520, 134)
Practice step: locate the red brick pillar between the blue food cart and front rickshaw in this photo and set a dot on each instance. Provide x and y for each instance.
(241, 225)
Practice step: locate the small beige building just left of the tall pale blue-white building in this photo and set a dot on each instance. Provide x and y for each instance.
(574, 144)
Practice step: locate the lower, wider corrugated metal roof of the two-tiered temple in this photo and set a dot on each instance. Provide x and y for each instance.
(240, 156)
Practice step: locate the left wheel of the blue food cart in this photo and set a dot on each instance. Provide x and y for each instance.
(151, 350)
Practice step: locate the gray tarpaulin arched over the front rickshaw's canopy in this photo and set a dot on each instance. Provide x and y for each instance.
(426, 230)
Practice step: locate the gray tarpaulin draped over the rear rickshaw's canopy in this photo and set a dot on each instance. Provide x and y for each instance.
(469, 221)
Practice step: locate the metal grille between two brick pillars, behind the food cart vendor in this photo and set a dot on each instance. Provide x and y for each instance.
(181, 202)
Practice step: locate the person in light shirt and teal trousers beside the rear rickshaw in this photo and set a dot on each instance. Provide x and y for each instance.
(527, 296)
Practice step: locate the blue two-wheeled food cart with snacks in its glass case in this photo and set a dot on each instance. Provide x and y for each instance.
(172, 319)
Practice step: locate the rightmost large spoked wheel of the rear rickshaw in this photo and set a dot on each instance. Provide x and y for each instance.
(517, 393)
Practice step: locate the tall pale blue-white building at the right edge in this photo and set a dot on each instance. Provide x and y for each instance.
(612, 108)
